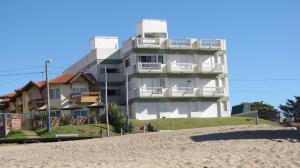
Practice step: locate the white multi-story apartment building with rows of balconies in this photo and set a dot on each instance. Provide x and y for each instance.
(167, 78)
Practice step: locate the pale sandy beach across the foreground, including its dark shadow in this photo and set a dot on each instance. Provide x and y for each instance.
(230, 146)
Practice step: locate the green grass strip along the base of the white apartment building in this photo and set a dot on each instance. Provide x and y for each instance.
(186, 123)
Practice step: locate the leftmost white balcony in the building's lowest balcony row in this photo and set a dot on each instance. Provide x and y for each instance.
(150, 92)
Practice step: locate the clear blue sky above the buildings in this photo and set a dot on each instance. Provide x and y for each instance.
(263, 38)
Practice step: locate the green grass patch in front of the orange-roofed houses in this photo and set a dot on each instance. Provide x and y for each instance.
(88, 130)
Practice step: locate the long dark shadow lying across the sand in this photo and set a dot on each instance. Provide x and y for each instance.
(292, 135)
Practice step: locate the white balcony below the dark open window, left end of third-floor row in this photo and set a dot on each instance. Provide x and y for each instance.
(150, 67)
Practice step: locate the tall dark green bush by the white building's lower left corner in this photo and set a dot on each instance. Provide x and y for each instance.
(115, 117)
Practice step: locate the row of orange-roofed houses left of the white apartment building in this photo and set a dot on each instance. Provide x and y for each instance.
(66, 91)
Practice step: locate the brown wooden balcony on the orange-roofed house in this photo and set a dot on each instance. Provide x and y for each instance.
(85, 97)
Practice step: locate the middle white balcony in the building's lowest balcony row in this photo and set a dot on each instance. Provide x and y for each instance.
(183, 92)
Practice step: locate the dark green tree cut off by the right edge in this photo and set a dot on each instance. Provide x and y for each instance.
(292, 108)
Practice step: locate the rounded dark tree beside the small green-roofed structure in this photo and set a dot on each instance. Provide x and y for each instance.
(265, 111)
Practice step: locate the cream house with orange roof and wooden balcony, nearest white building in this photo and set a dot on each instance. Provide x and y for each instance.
(73, 89)
